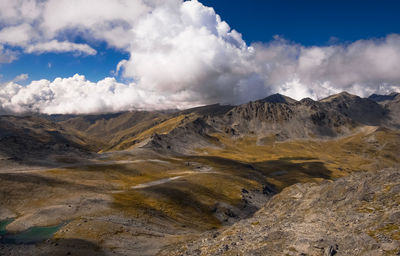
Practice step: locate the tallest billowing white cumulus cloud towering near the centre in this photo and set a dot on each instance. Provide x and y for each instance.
(189, 51)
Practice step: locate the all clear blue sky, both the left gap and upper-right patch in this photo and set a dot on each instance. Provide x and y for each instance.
(308, 22)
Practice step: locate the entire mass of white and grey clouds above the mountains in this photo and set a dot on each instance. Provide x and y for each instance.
(182, 54)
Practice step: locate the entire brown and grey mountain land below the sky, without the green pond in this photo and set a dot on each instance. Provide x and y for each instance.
(252, 179)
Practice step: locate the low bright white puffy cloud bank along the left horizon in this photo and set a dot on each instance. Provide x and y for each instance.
(77, 95)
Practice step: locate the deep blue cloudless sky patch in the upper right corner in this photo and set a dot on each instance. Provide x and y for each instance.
(310, 22)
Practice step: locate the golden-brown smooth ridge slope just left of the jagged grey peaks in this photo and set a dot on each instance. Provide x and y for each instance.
(123, 131)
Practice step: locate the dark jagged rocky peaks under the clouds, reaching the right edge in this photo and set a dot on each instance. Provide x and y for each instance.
(287, 118)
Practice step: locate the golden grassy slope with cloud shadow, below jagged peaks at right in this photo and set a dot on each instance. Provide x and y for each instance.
(292, 161)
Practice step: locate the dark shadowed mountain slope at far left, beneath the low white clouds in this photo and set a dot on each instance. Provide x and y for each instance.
(32, 137)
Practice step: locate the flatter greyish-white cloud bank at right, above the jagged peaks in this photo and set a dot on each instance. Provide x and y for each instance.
(362, 67)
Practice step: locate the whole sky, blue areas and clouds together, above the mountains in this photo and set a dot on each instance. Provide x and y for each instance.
(91, 56)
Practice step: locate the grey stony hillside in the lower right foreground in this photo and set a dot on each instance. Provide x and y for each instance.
(355, 215)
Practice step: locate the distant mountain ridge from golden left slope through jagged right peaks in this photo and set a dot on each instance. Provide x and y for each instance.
(276, 115)
